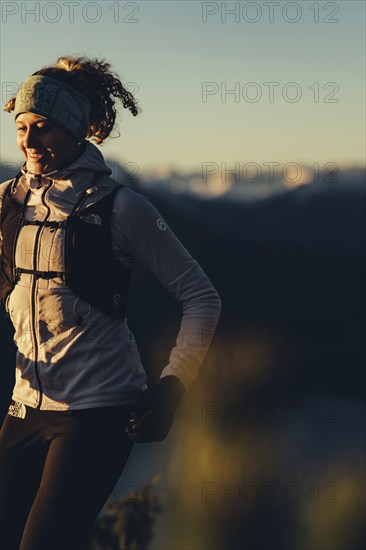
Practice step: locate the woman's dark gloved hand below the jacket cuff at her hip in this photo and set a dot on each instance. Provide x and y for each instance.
(152, 415)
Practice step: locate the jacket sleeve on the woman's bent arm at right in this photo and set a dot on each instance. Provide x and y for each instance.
(139, 230)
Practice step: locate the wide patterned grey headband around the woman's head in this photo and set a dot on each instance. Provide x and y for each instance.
(56, 101)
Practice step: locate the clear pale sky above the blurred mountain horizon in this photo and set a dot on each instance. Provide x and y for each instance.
(296, 72)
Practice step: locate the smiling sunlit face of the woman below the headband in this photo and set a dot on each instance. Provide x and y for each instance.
(45, 146)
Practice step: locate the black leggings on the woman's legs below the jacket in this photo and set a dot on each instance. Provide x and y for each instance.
(57, 470)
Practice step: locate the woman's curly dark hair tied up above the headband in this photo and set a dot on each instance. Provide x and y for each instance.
(94, 79)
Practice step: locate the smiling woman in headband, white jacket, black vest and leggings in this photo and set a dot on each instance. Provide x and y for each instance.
(70, 236)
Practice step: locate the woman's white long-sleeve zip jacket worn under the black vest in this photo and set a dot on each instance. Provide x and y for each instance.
(61, 365)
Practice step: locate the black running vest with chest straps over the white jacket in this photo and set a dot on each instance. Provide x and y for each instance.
(91, 268)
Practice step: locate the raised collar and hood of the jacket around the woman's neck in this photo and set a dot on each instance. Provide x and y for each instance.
(91, 160)
